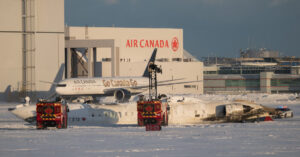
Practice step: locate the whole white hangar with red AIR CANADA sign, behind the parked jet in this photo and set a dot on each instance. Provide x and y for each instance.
(125, 52)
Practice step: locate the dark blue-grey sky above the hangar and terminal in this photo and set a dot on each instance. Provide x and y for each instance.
(210, 27)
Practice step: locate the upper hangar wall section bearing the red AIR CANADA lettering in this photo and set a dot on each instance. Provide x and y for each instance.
(133, 41)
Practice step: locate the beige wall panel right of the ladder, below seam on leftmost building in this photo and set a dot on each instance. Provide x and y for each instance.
(49, 59)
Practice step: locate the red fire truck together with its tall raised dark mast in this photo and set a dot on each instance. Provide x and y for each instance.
(153, 113)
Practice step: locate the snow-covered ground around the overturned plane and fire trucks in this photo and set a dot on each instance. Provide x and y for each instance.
(277, 138)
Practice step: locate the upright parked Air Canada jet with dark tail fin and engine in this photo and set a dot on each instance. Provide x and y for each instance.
(120, 87)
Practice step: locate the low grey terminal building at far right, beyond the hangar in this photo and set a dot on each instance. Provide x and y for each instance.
(256, 71)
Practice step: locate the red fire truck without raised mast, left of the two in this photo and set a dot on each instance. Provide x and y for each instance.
(51, 114)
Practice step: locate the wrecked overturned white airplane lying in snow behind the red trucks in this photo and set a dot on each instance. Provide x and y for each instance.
(189, 111)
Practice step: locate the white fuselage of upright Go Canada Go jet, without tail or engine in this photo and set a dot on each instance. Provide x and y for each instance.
(100, 86)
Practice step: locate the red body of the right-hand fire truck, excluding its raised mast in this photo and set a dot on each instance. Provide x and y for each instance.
(152, 114)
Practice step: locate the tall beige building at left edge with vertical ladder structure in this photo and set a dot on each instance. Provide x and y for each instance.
(32, 46)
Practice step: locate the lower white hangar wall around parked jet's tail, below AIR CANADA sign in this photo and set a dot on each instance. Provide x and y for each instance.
(171, 71)
